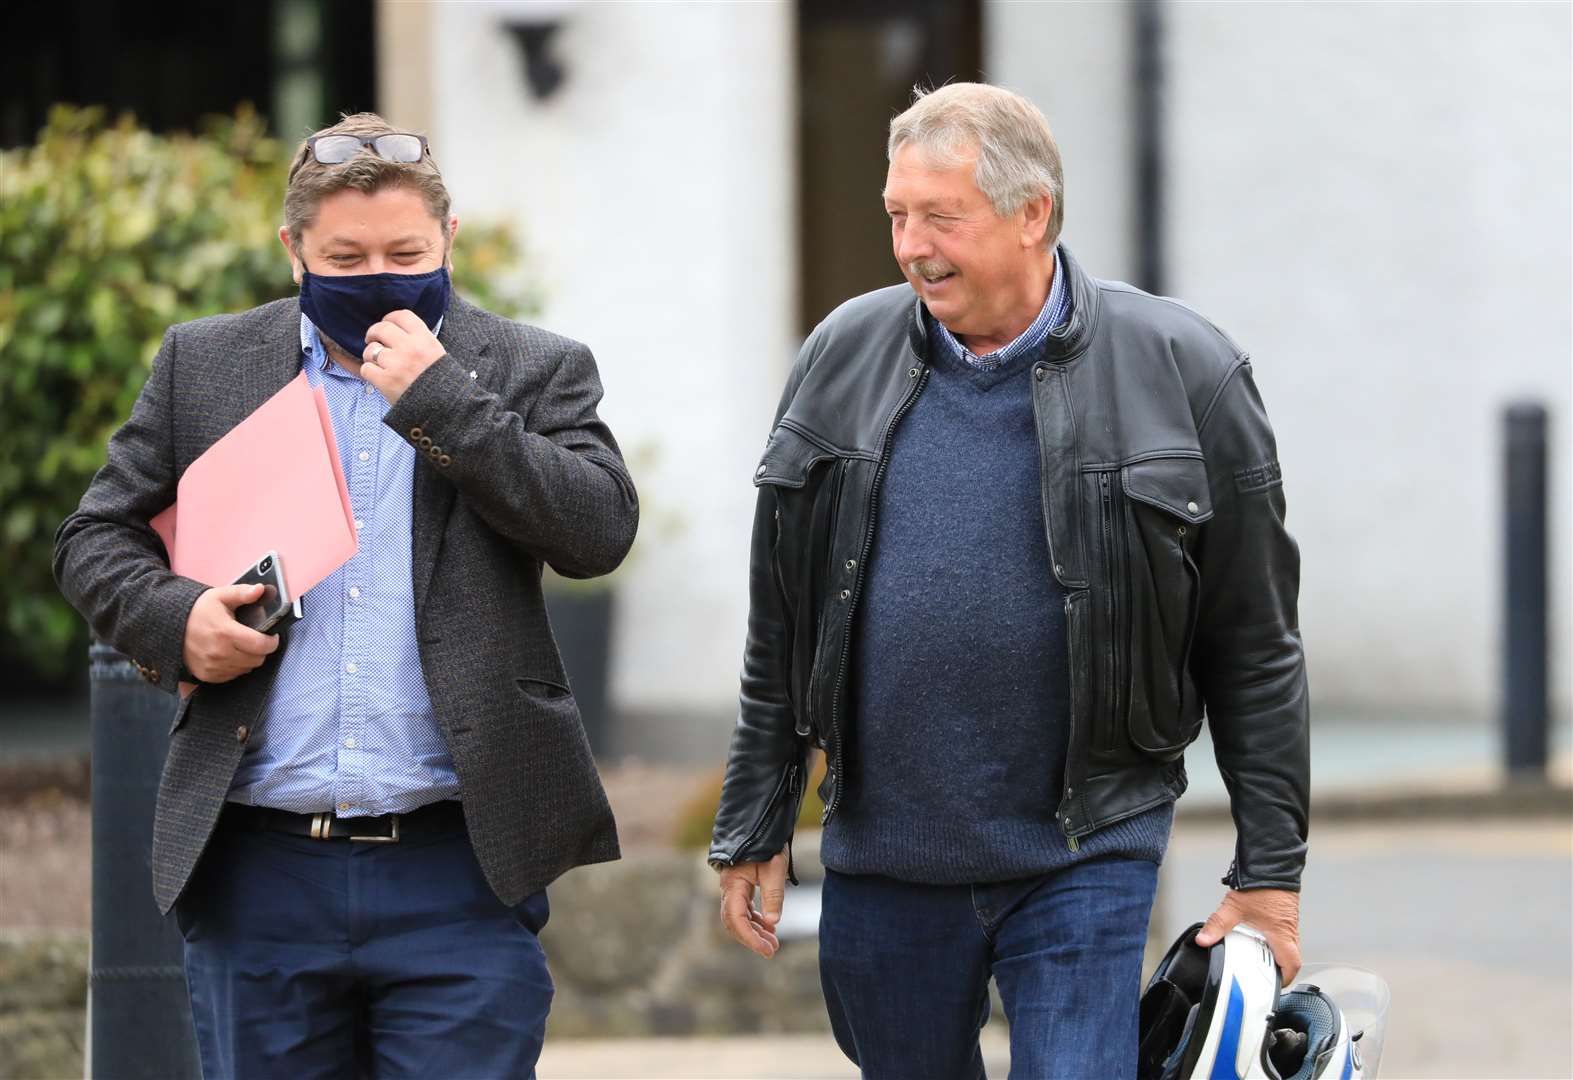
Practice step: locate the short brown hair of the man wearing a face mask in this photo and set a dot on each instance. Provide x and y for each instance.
(312, 182)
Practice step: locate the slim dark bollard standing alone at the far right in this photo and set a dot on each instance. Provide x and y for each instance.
(1525, 661)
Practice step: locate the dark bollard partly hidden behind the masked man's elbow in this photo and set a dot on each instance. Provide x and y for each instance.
(139, 1016)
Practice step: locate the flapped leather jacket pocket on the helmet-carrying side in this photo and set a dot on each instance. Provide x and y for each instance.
(1152, 513)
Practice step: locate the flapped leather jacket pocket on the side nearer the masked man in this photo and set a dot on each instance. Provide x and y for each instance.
(806, 482)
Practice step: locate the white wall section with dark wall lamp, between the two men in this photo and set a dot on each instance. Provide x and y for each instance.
(657, 193)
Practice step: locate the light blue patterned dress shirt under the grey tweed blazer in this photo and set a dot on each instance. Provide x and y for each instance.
(348, 726)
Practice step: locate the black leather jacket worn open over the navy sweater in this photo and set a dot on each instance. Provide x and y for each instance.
(1163, 507)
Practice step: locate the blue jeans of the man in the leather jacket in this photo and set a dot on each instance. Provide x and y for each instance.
(905, 971)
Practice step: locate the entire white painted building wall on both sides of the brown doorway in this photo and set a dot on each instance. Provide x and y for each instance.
(1372, 199)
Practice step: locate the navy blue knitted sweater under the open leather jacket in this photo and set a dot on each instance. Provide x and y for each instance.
(960, 663)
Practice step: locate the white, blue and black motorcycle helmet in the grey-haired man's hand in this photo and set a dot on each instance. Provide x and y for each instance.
(1218, 1015)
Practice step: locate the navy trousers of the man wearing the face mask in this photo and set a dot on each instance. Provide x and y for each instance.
(312, 958)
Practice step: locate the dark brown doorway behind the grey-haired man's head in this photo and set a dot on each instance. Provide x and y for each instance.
(858, 62)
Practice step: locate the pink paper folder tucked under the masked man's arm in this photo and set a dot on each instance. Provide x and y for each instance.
(271, 485)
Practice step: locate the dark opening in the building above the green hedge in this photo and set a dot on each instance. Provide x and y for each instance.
(171, 64)
